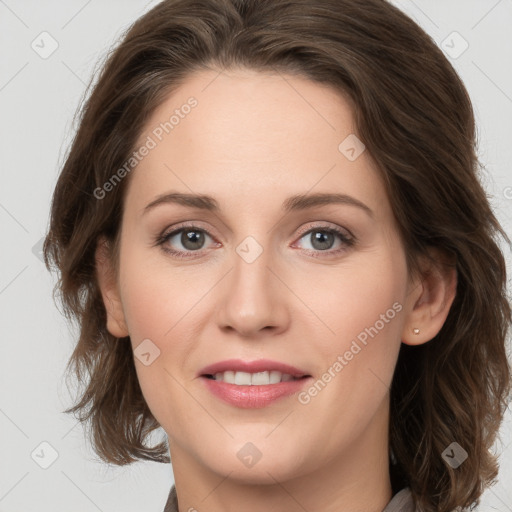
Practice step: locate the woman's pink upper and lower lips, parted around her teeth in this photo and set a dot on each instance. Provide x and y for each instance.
(253, 397)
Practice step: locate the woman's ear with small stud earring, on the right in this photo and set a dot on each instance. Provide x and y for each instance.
(430, 298)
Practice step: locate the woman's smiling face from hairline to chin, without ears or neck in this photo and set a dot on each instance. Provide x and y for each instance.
(319, 285)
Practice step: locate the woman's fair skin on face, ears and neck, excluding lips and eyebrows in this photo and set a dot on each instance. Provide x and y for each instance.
(253, 140)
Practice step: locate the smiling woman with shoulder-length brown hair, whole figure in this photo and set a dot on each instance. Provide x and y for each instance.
(271, 230)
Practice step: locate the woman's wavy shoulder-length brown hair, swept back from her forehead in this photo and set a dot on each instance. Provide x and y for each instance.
(414, 116)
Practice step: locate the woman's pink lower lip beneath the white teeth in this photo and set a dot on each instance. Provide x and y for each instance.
(253, 397)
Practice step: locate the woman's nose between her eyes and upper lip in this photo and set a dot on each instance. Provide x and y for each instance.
(253, 299)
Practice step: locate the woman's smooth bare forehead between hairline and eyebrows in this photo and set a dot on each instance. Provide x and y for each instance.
(258, 135)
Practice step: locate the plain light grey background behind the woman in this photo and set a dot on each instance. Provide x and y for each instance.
(38, 98)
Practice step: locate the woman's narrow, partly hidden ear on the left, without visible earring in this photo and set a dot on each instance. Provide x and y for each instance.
(116, 324)
